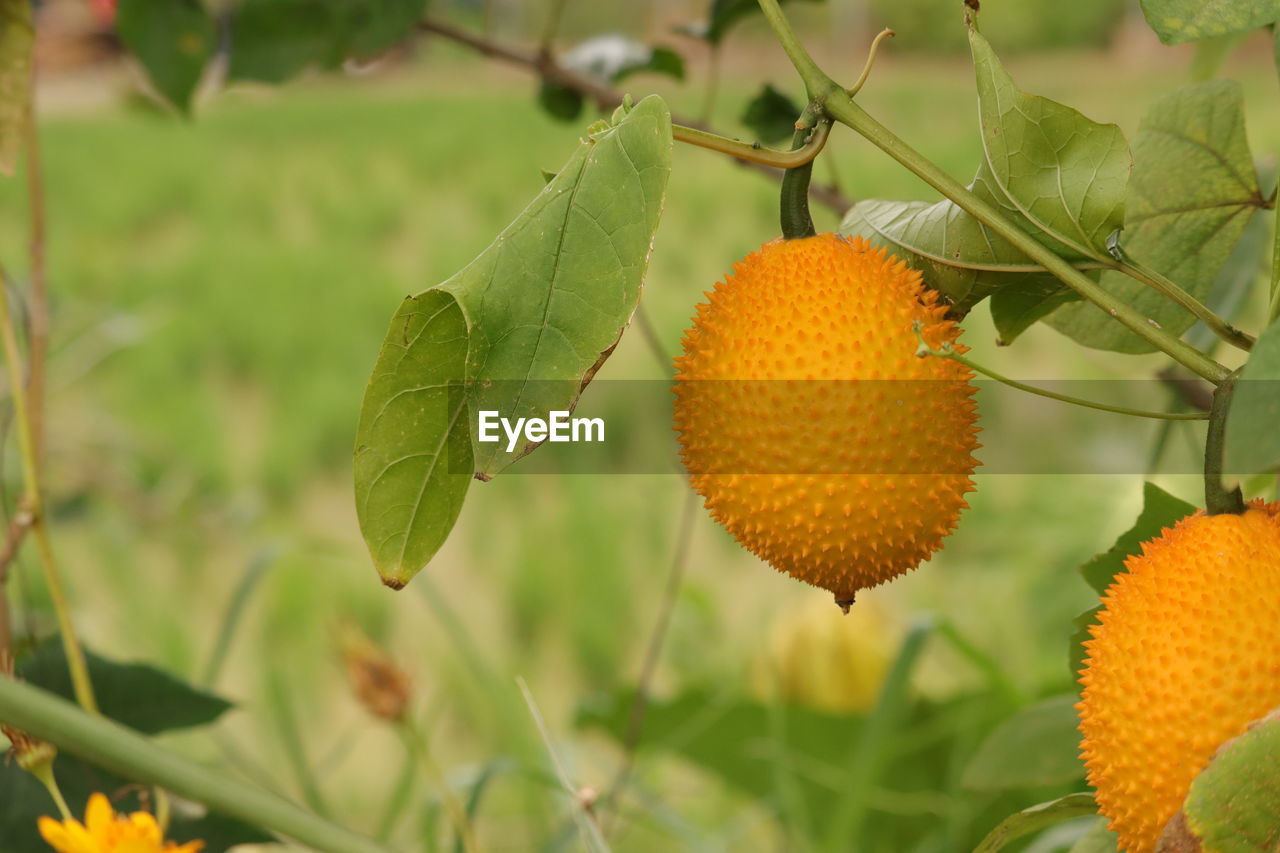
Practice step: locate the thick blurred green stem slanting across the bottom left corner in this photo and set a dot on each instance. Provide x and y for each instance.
(124, 751)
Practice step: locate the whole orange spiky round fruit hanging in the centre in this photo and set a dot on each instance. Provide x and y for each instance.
(842, 485)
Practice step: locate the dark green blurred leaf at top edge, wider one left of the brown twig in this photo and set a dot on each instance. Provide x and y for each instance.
(273, 40)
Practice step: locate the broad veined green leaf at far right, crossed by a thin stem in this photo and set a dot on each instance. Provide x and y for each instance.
(1192, 195)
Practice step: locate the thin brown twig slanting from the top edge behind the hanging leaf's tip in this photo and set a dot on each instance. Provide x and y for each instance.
(605, 97)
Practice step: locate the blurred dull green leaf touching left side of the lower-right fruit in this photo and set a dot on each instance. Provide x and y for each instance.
(1039, 746)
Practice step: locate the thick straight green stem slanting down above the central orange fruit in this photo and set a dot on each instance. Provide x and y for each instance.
(842, 108)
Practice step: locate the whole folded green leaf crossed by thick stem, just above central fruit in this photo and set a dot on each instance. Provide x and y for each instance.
(1071, 197)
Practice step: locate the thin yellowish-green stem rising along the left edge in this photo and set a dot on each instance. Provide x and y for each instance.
(34, 505)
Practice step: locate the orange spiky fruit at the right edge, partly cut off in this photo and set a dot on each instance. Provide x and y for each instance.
(1185, 655)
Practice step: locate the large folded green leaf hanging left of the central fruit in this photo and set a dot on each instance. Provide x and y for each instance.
(520, 331)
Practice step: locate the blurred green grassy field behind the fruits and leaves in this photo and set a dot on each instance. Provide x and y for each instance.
(221, 290)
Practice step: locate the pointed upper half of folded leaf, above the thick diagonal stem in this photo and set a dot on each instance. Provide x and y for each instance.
(1046, 163)
